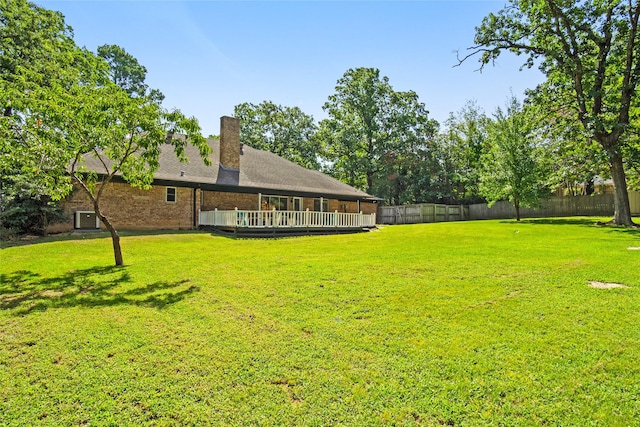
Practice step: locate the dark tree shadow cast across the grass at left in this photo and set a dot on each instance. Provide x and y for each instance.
(26, 292)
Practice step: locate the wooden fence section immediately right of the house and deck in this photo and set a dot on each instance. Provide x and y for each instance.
(425, 212)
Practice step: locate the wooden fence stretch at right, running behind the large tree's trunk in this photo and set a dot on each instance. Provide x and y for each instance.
(594, 205)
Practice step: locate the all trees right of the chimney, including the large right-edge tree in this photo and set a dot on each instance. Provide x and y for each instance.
(582, 122)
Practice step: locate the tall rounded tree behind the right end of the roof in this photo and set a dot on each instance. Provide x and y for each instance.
(369, 125)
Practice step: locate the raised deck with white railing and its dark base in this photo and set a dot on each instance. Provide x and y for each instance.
(286, 222)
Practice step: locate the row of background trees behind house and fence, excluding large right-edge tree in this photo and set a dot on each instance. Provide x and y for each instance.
(383, 142)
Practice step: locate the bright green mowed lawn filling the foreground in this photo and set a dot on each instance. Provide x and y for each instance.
(455, 324)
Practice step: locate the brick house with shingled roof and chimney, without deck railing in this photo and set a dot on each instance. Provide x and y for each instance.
(240, 177)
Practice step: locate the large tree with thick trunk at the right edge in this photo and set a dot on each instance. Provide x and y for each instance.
(590, 52)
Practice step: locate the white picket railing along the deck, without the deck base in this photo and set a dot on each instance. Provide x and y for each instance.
(286, 219)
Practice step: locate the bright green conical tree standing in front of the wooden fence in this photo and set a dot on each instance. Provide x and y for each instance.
(511, 166)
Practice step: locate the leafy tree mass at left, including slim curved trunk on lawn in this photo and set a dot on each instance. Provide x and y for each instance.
(60, 106)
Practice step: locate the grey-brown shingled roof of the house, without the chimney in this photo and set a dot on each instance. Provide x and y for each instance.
(260, 171)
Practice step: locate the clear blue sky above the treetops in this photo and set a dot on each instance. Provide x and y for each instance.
(208, 56)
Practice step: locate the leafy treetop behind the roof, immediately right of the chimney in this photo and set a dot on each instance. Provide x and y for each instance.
(285, 131)
